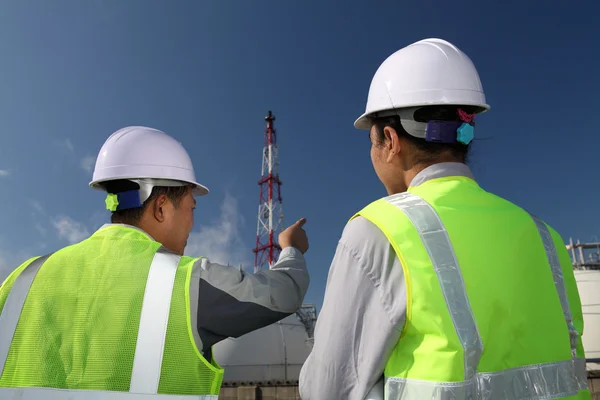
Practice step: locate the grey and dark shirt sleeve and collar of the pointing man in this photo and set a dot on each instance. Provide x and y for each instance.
(226, 302)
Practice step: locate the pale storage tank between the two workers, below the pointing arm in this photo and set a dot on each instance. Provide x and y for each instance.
(270, 355)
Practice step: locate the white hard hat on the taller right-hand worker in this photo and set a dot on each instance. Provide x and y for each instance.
(428, 72)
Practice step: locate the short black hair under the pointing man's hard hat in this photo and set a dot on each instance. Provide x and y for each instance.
(132, 216)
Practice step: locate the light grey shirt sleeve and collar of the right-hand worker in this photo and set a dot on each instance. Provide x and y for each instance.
(363, 311)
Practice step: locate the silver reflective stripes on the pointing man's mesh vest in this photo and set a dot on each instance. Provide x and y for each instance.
(150, 343)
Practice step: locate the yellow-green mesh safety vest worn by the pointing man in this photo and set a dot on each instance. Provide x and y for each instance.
(107, 319)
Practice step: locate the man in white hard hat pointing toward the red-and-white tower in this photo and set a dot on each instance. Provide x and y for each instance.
(123, 314)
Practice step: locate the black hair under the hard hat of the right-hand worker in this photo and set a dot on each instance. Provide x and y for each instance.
(428, 152)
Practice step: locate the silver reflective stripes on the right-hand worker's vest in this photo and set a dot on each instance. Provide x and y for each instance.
(547, 381)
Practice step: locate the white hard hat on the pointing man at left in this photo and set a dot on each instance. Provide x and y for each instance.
(147, 157)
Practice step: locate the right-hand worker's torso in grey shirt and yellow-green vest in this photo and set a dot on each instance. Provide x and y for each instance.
(422, 315)
